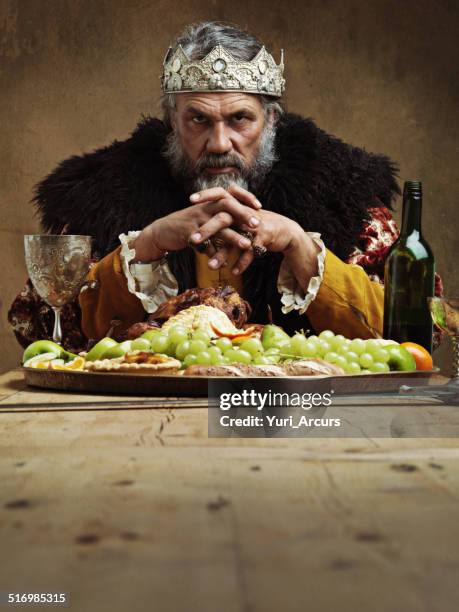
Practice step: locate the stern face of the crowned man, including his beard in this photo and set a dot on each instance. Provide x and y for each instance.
(219, 138)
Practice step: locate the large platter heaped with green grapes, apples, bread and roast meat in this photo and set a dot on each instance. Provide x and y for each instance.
(180, 350)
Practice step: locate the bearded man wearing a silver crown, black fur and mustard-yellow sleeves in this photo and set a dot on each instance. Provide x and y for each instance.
(227, 189)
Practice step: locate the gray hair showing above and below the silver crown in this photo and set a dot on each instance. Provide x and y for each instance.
(197, 40)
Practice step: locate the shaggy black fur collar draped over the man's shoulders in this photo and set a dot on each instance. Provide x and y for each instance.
(319, 181)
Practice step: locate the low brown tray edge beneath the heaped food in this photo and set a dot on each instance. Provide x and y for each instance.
(196, 386)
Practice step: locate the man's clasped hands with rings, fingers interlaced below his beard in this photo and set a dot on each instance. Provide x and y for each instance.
(219, 215)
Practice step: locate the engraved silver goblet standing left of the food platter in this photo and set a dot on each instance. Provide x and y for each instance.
(57, 267)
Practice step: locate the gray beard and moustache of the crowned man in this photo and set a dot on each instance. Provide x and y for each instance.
(193, 177)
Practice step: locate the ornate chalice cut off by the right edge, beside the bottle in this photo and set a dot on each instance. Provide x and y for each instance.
(445, 313)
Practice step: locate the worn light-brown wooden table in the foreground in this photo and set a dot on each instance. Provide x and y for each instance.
(136, 509)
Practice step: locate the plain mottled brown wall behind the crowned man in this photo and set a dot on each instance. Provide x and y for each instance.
(75, 74)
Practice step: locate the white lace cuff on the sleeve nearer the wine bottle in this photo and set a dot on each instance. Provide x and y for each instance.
(293, 297)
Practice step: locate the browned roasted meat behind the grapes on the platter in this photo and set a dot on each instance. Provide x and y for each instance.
(225, 299)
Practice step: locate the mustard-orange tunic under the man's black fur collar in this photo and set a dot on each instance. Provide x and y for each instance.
(348, 302)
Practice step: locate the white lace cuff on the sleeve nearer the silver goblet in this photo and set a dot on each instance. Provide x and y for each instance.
(153, 283)
